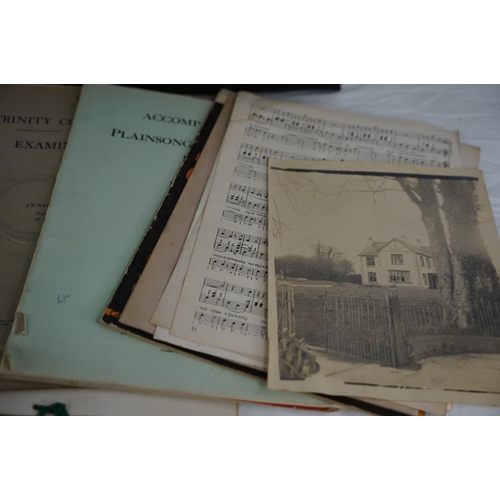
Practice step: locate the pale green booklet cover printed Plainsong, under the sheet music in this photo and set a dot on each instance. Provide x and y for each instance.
(124, 151)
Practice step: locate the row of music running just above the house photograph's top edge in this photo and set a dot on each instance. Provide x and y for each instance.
(259, 156)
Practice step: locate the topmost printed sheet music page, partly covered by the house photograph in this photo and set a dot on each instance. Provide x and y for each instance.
(224, 299)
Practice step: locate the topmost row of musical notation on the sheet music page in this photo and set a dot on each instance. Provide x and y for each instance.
(337, 131)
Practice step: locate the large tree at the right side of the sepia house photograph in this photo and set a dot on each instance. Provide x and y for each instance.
(467, 275)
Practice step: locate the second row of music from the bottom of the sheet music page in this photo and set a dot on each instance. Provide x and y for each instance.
(228, 296)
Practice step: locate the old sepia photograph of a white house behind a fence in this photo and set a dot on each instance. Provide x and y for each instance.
(384, 277)
